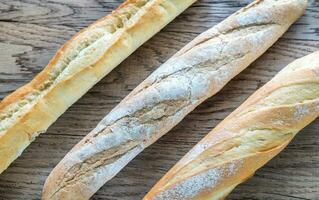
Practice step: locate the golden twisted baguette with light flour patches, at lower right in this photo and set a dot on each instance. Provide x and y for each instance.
(248, 138)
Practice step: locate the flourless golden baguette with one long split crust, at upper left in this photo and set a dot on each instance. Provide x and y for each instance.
(77, 66)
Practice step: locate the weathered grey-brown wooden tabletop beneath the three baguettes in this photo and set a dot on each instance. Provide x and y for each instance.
(32, 30)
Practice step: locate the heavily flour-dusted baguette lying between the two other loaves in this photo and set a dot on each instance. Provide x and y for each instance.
(194, 74)
